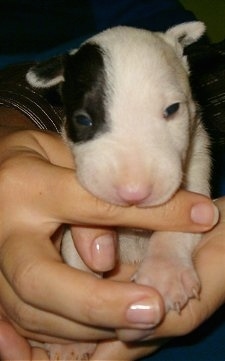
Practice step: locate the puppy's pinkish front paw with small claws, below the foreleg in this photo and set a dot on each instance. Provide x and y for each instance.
(177, 282)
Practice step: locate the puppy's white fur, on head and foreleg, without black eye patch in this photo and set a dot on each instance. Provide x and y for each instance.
(144, 159)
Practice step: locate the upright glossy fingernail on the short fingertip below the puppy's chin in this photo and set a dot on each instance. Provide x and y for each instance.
(103, 253)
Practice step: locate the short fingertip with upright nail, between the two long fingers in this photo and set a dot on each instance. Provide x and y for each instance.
(96, 246)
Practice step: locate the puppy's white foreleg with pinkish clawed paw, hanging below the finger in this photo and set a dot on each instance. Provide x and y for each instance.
(168, 267)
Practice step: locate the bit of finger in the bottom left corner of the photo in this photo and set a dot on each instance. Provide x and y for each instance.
(15, 347)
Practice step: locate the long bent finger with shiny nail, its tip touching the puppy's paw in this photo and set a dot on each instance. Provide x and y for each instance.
(107, 303)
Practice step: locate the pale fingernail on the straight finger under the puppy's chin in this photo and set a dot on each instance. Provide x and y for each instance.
(205, 214)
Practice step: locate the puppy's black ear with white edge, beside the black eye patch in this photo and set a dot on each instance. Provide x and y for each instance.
(46, 74)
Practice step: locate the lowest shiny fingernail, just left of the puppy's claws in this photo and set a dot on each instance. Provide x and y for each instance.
(146, 312)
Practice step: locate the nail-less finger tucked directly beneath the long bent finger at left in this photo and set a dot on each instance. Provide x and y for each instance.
(40, 325)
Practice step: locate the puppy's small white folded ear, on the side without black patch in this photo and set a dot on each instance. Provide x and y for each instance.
(187, 33)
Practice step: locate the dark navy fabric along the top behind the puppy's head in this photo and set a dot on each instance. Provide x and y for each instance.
(37, 30)
